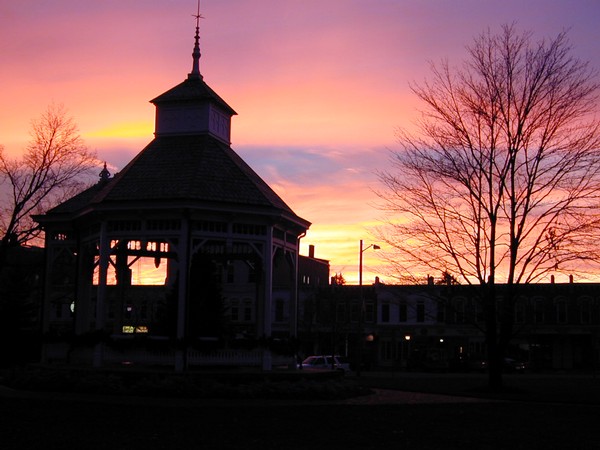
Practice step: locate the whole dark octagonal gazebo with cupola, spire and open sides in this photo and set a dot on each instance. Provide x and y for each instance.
(185, 252)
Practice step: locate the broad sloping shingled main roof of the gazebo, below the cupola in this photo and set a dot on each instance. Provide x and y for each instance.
(197, 168)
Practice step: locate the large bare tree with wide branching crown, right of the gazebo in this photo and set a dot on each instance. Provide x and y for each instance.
(501, 183)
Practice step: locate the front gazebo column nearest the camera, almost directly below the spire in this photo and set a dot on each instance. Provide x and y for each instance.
(183, 253)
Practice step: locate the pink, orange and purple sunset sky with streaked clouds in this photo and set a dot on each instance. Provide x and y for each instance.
(320, 86)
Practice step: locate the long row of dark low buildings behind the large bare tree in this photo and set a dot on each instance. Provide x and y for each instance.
(440, 327)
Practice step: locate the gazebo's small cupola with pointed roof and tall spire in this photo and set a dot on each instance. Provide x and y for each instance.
(192, 107)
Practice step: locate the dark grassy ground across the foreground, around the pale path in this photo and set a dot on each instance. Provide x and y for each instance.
(538, 412)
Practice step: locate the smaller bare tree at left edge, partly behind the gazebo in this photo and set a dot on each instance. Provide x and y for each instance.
(53, 168)
